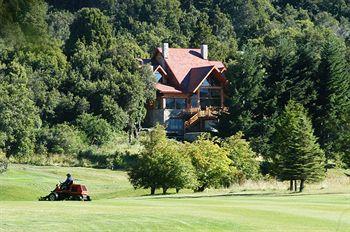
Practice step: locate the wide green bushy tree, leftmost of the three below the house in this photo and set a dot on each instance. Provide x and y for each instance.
(161, 164)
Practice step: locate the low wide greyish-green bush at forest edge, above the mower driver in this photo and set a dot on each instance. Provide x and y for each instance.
(60, 139)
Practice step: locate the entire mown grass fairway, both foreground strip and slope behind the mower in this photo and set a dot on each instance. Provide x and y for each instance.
(192, 212)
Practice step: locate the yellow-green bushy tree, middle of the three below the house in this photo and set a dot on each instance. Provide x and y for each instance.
(211, 163)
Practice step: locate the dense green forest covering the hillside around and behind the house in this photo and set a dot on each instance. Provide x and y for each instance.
(69, 72)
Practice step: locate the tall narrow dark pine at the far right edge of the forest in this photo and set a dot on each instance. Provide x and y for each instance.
(334, 96)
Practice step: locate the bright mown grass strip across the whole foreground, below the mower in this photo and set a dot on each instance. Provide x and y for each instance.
(330, 212)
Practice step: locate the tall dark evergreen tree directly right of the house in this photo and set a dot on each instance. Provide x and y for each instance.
(246, 77)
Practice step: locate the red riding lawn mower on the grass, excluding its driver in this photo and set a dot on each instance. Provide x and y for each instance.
(75, 192)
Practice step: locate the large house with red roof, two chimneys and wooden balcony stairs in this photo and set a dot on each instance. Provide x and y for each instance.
(190, 90)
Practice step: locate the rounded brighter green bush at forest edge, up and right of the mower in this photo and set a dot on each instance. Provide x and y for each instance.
(98, 131)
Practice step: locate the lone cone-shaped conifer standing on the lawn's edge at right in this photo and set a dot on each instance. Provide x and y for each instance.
(297, 153)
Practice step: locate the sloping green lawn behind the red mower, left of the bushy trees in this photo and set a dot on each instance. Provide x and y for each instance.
(27, 183)
